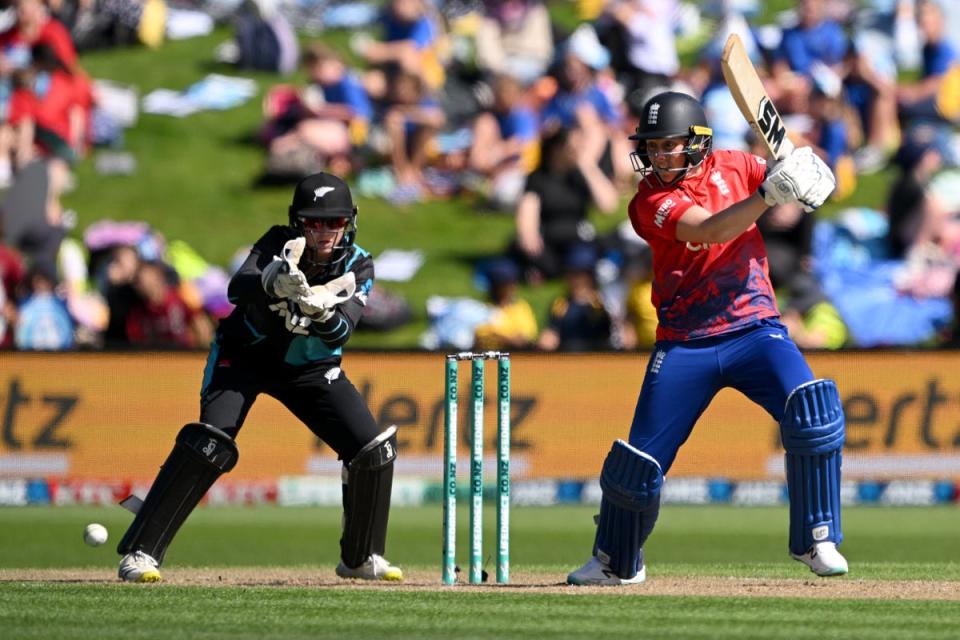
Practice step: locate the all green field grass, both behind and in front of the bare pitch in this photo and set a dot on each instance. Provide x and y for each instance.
(883, 544)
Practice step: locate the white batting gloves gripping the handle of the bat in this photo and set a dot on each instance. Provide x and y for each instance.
(800, 177)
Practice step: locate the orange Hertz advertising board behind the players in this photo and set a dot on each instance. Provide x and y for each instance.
(114, 416)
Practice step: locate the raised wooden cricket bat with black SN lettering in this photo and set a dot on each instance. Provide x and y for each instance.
(751, 97)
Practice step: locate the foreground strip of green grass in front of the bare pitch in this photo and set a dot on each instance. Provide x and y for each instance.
(66, 611)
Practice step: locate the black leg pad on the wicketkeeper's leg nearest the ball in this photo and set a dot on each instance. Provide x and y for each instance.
(200, 455)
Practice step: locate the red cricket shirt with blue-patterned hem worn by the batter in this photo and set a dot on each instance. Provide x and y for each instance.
(702, 290)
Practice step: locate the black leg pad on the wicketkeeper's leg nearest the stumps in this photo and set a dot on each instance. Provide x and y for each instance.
(368, 481)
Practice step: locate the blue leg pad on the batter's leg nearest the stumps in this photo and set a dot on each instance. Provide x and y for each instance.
(631, 482)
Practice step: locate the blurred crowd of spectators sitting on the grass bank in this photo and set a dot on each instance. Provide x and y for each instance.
(496, 102)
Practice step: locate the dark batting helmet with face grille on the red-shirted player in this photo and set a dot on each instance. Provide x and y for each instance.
(672, 115)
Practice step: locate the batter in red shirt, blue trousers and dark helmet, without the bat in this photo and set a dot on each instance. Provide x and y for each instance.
(718, 327)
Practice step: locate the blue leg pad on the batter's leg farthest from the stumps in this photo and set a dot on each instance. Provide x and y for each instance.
(812, 431)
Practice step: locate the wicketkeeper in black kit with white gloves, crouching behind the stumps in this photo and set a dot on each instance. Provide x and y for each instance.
(298, 296)
